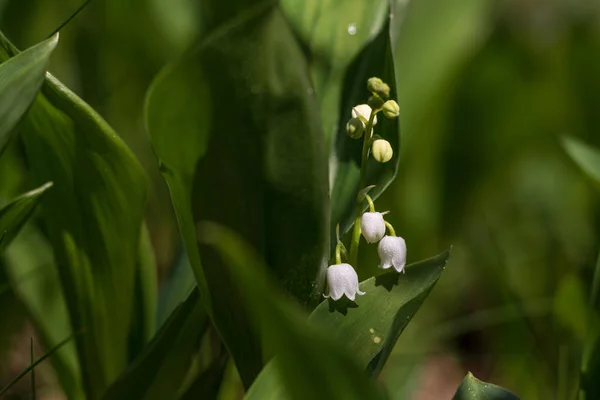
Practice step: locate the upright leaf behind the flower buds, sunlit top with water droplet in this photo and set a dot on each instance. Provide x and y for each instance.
(349, 43)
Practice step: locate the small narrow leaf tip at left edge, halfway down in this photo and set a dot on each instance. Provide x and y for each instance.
(15, 214)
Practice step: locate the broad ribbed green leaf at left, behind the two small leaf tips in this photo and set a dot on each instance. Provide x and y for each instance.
(93, 217)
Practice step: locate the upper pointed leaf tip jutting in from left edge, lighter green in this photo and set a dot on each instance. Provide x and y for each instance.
(20, 81)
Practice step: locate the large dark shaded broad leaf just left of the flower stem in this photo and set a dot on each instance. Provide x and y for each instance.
(237, 133)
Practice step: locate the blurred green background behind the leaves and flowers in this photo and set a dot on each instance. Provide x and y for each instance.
(486, 91)
